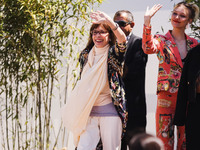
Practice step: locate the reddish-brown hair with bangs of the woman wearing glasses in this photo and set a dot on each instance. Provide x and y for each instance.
(90, 43)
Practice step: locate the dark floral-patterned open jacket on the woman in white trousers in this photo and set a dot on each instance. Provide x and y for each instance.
(115, 71)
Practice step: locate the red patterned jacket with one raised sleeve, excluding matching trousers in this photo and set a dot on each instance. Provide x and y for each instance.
(170, 63)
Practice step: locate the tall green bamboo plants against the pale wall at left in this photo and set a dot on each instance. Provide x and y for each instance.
(38, 51)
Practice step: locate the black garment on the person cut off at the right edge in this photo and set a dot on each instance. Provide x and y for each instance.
(188, 101)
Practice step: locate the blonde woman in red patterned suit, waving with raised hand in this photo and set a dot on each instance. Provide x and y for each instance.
(171, 49)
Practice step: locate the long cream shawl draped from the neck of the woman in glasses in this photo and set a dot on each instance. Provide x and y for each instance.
(76, 112)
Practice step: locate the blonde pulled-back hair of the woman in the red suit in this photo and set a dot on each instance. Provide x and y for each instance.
(193, 9)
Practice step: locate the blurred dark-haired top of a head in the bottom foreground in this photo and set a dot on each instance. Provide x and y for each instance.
(145, 141)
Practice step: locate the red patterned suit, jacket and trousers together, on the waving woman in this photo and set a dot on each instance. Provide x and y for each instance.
(169, 74)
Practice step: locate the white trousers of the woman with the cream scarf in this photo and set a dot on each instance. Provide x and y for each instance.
(109, 129)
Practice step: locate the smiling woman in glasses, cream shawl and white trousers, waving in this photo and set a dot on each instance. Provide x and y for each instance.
(96, 108)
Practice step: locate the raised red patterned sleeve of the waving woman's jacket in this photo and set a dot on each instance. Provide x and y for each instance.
(150, 44)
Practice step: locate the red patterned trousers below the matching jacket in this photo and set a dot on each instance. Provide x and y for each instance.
(166, 105)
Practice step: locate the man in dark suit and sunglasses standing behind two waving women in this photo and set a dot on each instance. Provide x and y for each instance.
(134, 78)
